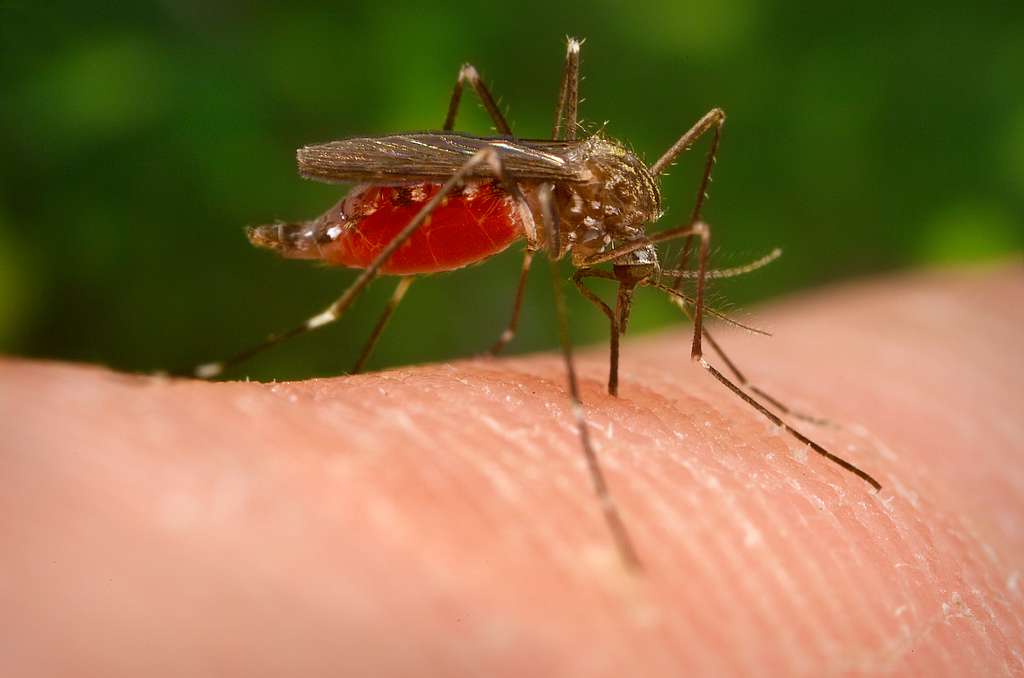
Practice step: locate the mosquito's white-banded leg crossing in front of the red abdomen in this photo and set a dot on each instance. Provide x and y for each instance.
(487, 156)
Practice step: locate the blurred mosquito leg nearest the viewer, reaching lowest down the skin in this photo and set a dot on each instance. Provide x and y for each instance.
(624, 542)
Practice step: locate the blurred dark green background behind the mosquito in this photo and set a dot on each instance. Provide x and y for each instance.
(140, 140)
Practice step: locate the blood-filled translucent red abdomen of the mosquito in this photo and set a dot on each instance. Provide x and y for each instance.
(474, 223)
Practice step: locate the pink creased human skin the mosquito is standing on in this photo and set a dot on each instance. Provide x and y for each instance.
(439, 520)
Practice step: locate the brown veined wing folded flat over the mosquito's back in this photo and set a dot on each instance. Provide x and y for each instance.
(436, 157)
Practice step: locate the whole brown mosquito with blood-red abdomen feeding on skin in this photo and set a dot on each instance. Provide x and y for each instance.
(435, 202)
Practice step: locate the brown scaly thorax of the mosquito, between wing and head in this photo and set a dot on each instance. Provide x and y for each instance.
(613, 206)
